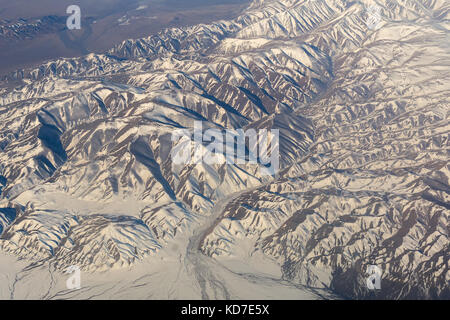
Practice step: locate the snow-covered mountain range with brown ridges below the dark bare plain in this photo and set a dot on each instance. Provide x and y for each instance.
(86, 175)
